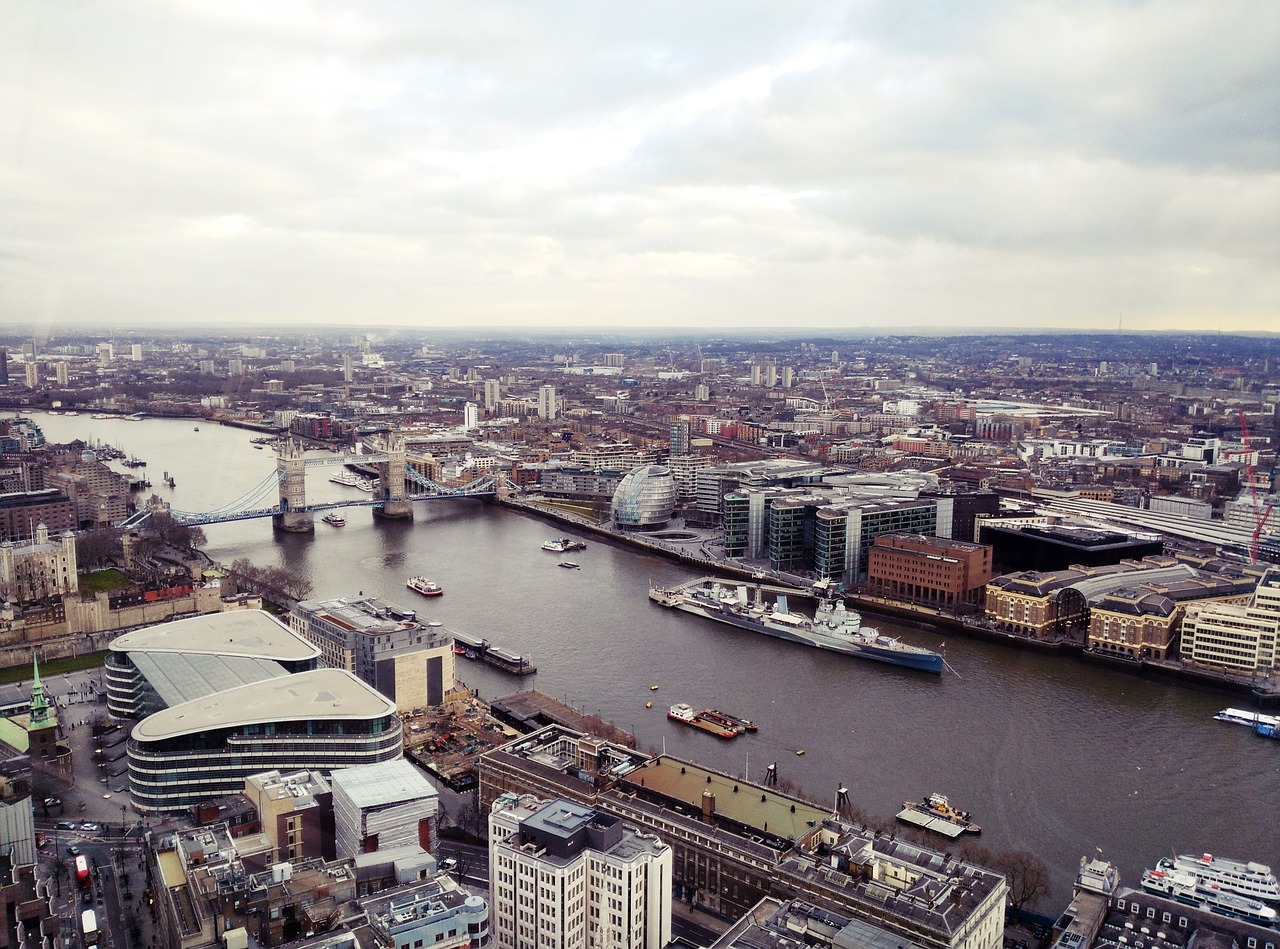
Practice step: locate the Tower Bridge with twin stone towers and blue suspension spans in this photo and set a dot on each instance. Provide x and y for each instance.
(391, 498)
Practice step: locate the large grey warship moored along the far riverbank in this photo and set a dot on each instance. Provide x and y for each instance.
(834, 627)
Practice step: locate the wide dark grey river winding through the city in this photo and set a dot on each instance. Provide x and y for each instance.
(1049, 755)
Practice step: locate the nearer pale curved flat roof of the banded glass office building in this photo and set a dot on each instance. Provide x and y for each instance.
(319, 695)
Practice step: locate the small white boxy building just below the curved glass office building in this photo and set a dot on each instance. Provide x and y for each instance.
(383, 807)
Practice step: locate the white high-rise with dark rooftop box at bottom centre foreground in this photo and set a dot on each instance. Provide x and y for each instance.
(569, 877)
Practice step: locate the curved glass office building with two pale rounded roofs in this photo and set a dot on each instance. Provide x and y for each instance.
(226, 696)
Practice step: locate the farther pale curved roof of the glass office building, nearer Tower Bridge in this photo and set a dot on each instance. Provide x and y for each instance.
(246, 633)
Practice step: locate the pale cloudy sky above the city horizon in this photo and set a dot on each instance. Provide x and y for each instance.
(1089, 165)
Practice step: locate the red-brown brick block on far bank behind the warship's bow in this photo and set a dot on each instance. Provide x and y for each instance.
(930, 571)
